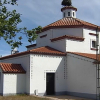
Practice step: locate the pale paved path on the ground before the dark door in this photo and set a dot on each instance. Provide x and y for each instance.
(65, 98)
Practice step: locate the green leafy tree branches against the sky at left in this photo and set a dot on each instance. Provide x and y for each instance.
(9, 21)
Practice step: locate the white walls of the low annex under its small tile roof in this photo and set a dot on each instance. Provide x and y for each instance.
(14, 83)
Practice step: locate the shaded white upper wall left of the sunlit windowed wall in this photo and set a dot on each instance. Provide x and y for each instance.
(54, 33)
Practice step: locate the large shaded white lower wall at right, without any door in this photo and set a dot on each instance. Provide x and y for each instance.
(81, 75)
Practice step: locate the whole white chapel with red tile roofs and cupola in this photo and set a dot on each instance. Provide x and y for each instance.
(62, 62)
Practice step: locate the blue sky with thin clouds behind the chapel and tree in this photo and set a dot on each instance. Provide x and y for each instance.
(43, 12)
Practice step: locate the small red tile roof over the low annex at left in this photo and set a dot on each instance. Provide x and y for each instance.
(12, 68)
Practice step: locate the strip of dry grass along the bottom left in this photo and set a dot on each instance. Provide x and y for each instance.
(21, 97)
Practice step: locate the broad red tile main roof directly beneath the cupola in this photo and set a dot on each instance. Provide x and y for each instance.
(70, 22)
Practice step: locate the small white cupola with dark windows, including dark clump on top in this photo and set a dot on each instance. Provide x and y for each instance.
(68, 10)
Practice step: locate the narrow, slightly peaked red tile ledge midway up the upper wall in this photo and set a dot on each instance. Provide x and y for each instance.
(68, 37)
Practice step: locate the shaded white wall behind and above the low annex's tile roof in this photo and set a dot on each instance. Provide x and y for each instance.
(25, 62)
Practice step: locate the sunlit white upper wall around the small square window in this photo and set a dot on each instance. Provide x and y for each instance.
(84, 46)
